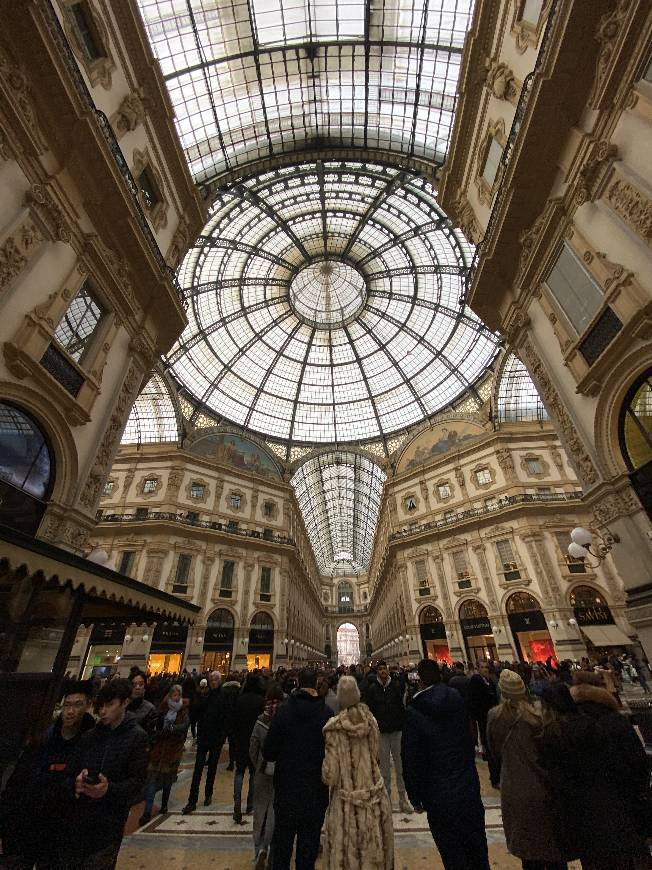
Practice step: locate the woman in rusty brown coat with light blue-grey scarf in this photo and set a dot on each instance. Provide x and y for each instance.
(165, 755)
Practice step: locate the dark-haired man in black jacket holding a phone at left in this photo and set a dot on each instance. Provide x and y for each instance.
(109, 770)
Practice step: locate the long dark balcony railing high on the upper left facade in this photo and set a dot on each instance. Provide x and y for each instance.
(107, 132)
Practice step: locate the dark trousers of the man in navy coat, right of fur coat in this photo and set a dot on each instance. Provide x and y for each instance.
(459, 834)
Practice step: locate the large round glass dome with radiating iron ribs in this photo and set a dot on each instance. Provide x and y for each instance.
(327, 305)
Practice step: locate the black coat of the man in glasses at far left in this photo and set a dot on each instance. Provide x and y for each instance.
(37, 804)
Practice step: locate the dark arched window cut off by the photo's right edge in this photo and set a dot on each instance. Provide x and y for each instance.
(635, 434)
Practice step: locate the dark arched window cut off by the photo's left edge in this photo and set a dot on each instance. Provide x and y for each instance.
(26, 470)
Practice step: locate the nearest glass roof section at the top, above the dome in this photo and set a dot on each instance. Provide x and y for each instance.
(254, 78)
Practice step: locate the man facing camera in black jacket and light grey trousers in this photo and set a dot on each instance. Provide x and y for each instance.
(385, 697)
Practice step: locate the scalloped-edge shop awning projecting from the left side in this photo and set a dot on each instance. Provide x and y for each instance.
(107, 594)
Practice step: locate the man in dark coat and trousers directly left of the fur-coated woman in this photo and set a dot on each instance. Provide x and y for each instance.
(296, 744)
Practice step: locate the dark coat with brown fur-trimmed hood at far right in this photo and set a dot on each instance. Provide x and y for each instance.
(598, 778)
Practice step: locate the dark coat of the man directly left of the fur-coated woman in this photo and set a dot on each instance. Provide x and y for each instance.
(296, 743)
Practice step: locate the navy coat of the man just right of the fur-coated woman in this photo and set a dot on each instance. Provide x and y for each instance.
(438, 751)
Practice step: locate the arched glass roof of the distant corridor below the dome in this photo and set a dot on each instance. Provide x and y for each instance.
(339, 495)
